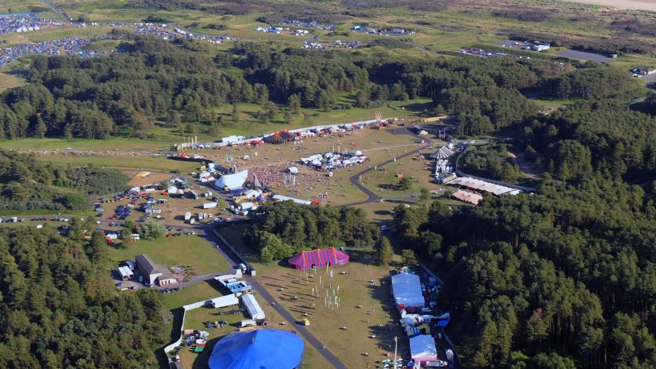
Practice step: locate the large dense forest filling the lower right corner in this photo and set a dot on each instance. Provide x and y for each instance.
(564, 276)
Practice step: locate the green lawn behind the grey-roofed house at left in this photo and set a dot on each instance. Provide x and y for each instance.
(185, 250)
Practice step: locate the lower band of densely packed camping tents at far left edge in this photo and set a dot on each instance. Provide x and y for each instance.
(63, 46)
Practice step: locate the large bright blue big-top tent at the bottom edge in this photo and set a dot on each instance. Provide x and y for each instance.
(256, 349)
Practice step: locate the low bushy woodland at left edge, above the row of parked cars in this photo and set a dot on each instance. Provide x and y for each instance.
(28, 184)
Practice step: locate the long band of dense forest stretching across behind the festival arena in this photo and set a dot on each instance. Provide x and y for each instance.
(125, 93)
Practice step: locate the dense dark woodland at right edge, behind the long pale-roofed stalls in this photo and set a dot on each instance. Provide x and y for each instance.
(602, 135)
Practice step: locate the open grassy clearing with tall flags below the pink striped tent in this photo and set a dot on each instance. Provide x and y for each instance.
(349, 344)
